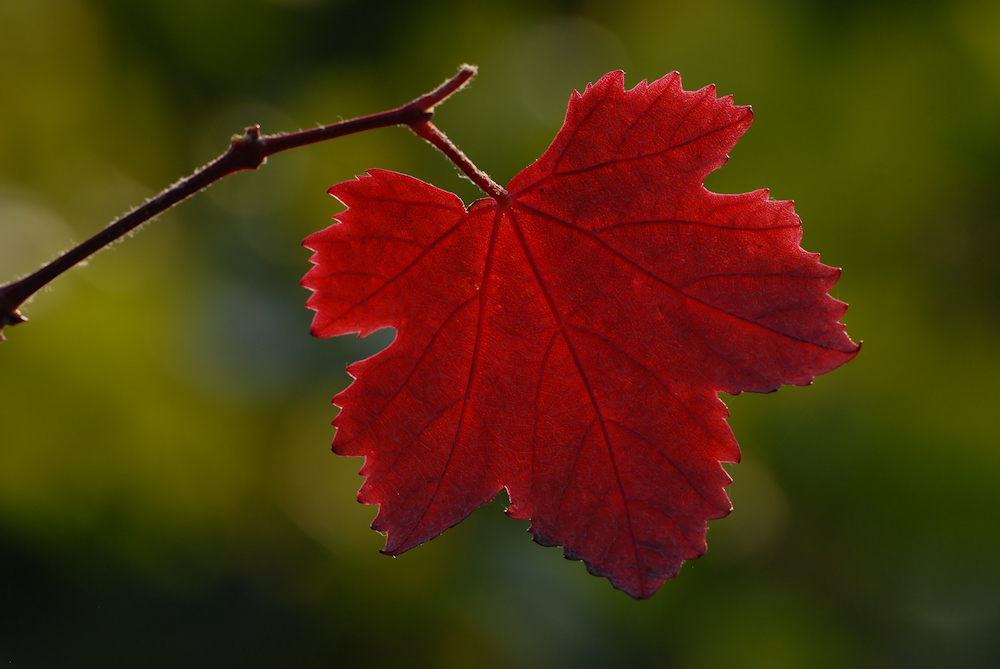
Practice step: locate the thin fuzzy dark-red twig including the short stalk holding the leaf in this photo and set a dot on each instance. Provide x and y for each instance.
(246, 152)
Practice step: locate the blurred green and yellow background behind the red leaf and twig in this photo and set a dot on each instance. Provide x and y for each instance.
(167, 493)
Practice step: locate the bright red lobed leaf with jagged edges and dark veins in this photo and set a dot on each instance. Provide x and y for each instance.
(570, 346)
